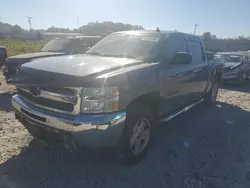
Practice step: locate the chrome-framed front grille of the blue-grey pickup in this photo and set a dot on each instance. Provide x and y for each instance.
(62, 100)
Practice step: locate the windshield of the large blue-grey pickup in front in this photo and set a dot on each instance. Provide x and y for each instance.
(140, 46)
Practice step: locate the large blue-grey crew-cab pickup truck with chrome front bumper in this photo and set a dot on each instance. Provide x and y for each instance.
(116, 93)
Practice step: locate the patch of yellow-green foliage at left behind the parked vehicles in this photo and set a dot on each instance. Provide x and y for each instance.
(15, 46)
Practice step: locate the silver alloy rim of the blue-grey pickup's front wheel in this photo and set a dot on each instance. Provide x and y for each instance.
(141, 135)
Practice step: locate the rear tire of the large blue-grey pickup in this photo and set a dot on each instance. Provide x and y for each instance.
(210, 98)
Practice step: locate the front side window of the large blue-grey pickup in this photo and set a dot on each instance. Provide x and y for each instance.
(175, 44)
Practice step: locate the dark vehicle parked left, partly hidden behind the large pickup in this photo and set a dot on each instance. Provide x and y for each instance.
(56, 47)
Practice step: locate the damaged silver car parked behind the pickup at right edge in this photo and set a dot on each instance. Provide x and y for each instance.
(237, 66)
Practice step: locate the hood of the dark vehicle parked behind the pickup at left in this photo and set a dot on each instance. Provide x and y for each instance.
(24, 58)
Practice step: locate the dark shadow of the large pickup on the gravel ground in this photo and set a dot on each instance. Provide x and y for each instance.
(194, 143)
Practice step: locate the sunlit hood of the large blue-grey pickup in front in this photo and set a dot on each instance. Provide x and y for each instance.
(71, 70)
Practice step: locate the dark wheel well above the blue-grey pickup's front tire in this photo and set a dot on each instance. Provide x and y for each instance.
(150, 99)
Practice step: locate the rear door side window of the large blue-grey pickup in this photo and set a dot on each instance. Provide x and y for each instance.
(196, 50)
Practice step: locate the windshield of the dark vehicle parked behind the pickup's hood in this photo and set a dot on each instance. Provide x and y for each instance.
(57, 45)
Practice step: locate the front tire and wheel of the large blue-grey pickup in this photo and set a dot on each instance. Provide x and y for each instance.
(137, 132)
